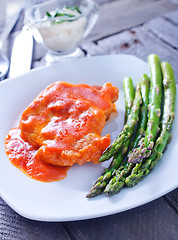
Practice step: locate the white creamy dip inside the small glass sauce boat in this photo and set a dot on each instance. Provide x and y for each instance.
(61, 37)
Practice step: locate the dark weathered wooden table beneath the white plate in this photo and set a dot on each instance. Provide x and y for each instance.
(137, 27)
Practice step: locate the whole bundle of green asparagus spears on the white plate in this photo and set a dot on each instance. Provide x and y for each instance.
(151, 135)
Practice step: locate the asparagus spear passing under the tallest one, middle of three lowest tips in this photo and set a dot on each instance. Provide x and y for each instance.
(118, 180)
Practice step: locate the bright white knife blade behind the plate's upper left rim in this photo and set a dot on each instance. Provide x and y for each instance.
(22, 52)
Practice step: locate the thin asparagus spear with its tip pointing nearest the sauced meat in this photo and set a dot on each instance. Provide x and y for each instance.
(127, 131)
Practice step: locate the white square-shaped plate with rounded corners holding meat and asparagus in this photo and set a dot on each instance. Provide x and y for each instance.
(65, 200)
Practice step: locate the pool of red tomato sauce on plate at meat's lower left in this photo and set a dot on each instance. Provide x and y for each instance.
(23, 156)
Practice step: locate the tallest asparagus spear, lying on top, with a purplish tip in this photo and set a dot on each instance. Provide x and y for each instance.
(146, 143)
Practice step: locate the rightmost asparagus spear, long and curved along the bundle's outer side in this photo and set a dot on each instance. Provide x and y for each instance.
(143, 169)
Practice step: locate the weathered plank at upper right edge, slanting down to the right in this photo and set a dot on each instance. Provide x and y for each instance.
(168, 33)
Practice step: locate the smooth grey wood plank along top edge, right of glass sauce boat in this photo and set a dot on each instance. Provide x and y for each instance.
(120, 15)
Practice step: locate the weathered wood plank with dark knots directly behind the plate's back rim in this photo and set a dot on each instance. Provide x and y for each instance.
(137, 41)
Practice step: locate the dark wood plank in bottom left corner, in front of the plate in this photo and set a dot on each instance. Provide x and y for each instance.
(13, 227)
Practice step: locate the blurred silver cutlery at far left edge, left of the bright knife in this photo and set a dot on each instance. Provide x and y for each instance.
(4, 61)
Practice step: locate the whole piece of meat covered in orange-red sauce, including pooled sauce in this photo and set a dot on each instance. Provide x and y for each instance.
(61, 127)
